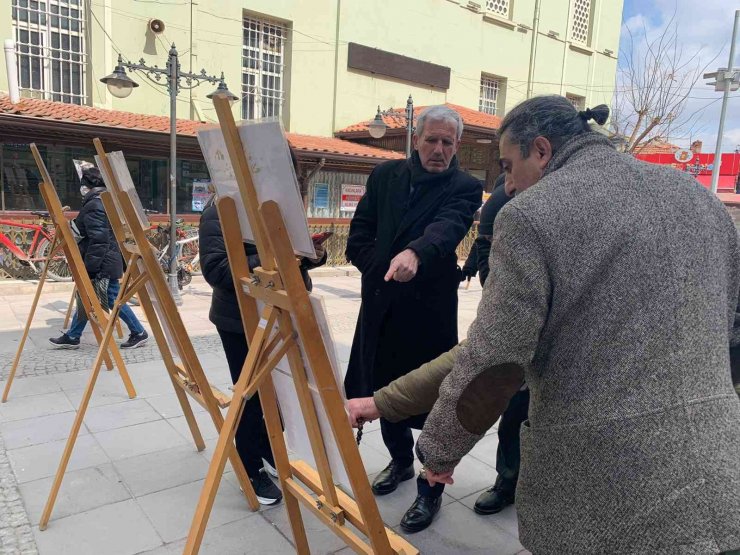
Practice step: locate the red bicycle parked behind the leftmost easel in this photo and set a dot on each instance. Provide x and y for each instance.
(36, 254)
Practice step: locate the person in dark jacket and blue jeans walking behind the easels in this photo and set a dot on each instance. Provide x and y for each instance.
(103, 263)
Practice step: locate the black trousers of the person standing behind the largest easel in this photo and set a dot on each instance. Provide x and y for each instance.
(252, 441)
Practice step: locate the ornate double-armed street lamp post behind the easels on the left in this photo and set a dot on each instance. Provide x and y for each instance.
(120, 85)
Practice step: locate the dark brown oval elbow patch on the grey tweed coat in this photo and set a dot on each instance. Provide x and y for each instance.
(487, 396)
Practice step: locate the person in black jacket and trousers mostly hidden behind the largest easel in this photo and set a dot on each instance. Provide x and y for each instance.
(251, 439)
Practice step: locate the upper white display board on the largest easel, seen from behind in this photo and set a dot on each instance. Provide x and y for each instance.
(270, 163)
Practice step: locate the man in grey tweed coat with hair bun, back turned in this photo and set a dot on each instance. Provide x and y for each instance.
(613, 290)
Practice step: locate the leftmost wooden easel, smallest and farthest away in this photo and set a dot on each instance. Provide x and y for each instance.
(64, 240)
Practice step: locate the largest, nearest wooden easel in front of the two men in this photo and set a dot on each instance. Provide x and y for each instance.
(279, 286)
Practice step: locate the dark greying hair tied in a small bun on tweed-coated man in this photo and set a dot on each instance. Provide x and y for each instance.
(552, 117)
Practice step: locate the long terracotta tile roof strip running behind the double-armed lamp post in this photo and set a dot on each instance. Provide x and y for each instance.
(87, 115)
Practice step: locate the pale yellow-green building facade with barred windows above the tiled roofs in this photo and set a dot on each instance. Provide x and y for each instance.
(320, 65)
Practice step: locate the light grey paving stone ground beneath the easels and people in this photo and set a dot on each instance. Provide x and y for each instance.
(134, 477)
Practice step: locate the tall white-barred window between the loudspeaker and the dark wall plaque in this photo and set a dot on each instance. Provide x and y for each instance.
(263, 65)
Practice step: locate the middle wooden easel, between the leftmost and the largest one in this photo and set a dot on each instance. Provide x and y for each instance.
(144, 278)
